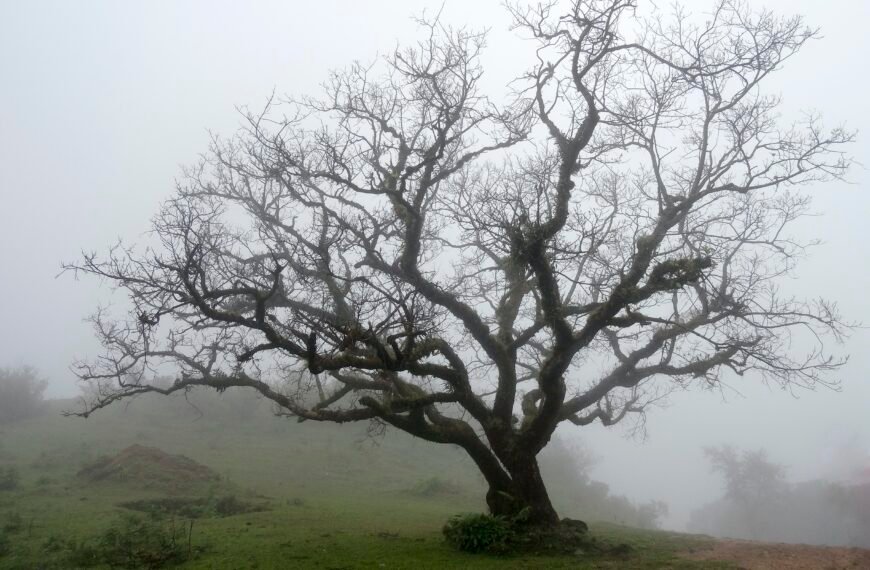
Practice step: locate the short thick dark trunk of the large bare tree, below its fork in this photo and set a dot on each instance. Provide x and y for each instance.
(526, 491)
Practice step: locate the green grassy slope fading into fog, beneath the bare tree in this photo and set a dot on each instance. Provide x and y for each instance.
(336, 498)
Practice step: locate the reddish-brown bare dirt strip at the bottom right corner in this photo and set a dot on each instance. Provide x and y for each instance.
(750, 555)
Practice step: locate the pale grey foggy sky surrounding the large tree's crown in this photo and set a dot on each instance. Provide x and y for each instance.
(102, 102)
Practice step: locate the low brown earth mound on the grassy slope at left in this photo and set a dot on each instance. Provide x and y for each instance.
(149, 467)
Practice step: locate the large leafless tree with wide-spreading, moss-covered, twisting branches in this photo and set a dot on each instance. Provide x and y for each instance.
(408, 251)
